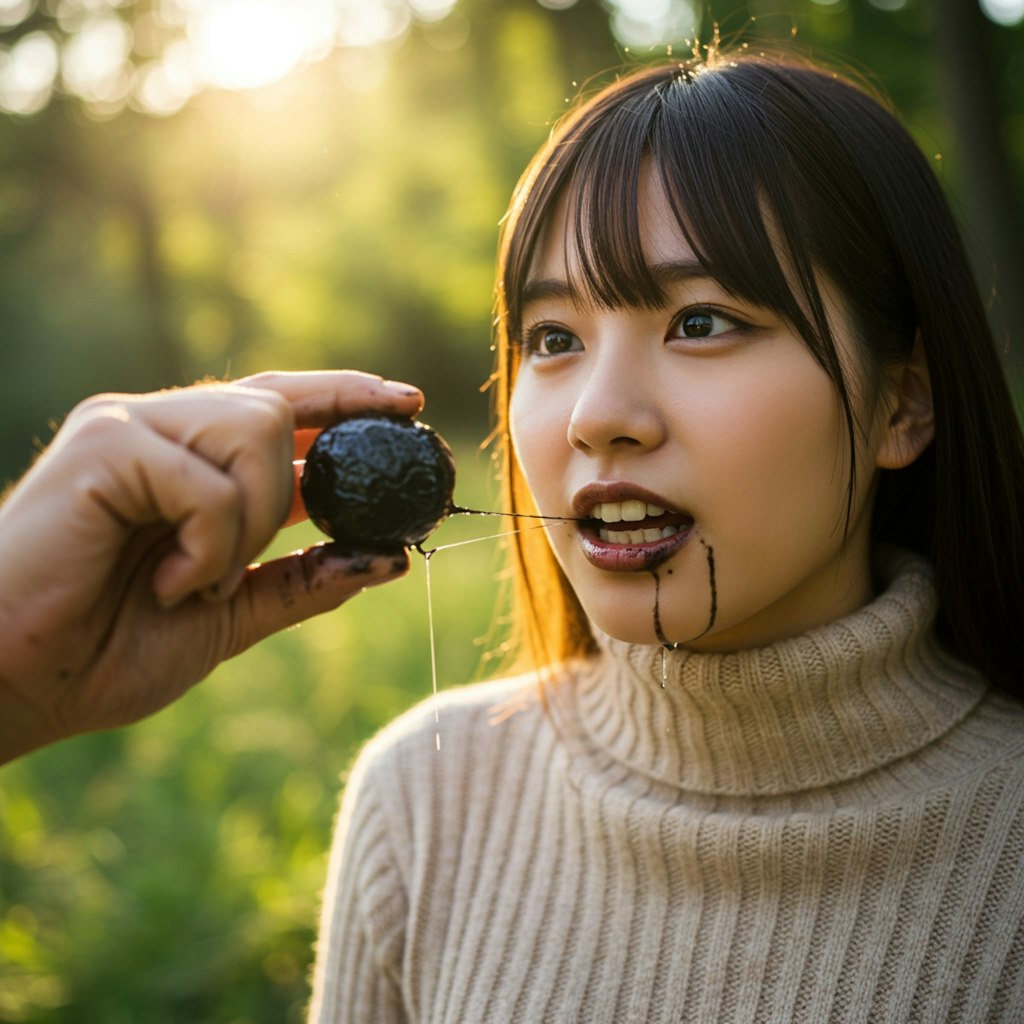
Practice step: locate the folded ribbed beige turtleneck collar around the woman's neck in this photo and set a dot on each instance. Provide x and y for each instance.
(812, 711)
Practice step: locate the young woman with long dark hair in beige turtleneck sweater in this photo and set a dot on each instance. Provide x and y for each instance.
(776, 767)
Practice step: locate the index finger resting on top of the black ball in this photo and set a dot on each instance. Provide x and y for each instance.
(322, 398)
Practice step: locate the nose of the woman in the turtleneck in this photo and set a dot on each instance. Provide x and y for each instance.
(617, 408)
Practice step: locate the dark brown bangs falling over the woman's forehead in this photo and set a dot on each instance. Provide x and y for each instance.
(730, 182)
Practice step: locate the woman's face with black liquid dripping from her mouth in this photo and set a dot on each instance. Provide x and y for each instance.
(709, 443)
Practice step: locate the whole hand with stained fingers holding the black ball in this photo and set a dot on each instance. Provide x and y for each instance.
(125, 551)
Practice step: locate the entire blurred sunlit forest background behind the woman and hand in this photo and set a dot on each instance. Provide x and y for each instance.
(199, 189)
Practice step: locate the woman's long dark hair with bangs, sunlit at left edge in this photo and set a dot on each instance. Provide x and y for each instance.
(782, 175)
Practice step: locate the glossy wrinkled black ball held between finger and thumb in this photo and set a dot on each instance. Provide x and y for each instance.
(375, 484)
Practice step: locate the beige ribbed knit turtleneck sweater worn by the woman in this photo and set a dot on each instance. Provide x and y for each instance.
(827, 830)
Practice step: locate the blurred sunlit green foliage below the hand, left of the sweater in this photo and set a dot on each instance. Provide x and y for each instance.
(172, 872)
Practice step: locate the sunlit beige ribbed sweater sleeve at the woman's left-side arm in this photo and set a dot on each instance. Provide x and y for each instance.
(358, 976)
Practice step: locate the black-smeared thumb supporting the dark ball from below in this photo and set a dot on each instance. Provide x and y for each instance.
(286, 591)
